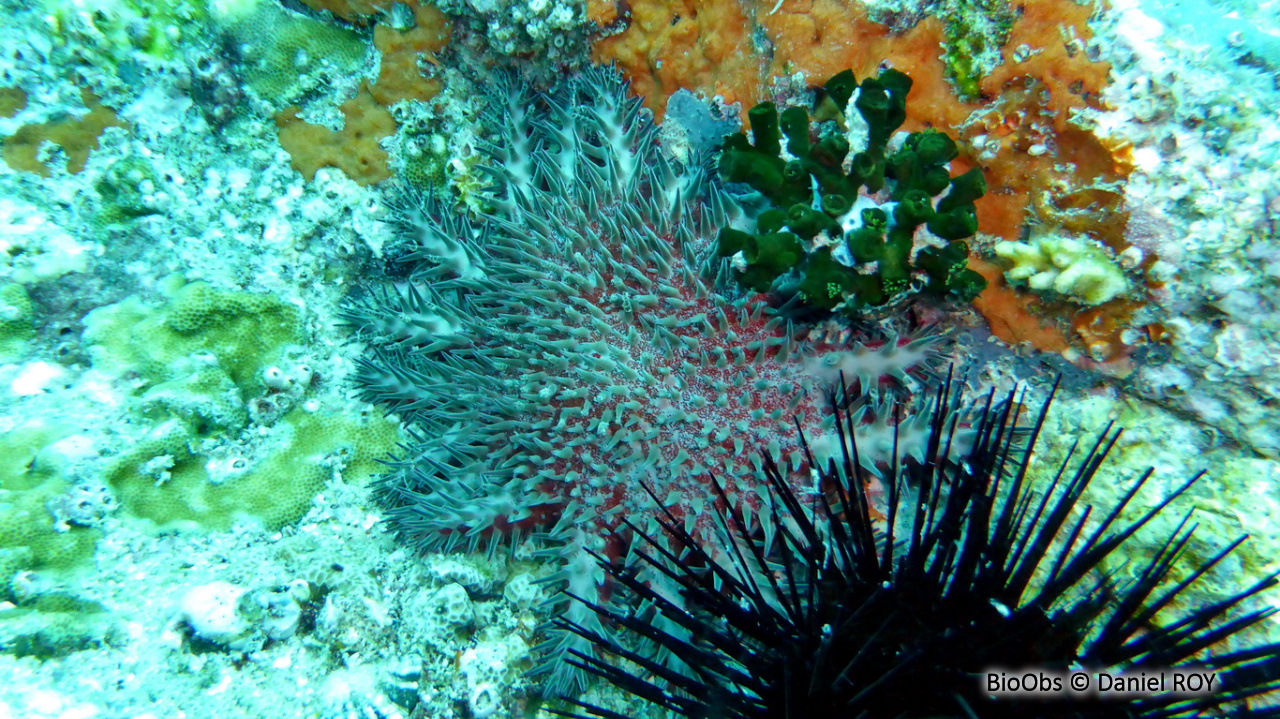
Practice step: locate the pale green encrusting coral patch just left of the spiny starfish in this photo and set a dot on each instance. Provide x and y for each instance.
(199, 359)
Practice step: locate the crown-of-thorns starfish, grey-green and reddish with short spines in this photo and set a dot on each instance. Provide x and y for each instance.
(580, 340)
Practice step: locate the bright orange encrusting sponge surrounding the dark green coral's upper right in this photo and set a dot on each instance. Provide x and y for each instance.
(1020, 134)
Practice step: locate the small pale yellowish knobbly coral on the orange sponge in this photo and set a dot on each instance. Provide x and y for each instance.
(1078, 269)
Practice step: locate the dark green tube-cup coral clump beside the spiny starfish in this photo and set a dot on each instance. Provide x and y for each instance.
(871, 214)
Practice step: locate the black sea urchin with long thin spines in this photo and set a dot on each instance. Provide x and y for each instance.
(834, 619)
